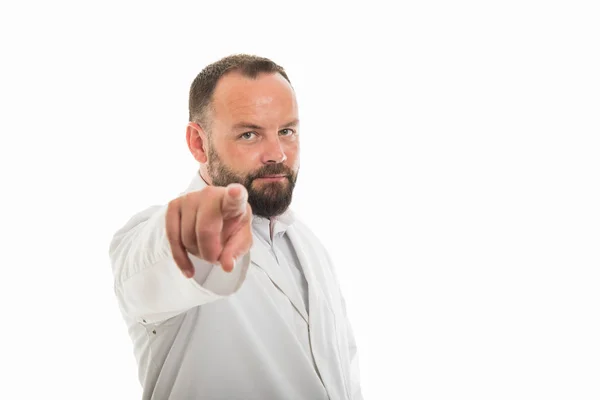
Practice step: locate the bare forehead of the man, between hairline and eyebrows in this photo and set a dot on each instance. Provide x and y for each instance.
(269, 95)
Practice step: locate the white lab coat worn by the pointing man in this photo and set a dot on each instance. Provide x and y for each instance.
(234, 335)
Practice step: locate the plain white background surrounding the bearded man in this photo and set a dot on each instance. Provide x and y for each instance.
(450, 163)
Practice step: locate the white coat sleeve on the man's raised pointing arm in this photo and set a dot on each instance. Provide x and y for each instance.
(149, 286)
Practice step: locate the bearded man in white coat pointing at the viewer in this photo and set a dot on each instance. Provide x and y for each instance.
(226, 294)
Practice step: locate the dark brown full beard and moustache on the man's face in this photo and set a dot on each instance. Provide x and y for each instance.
(268, 199)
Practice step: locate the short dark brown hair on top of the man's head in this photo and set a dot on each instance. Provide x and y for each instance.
(203, 87)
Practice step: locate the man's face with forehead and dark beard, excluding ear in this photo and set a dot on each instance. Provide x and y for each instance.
(254, 139)
